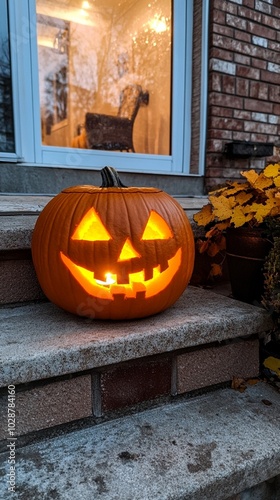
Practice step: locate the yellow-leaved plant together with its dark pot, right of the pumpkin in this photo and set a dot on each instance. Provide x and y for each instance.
(239, 223)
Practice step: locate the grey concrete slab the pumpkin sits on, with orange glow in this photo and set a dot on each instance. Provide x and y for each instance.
(40, 341)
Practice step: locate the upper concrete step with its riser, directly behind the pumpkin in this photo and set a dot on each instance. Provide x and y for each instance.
(18, 215)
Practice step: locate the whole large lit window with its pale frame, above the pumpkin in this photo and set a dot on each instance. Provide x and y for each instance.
(76, 63)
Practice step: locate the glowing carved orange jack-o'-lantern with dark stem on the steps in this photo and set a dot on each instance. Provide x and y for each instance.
(113, 252)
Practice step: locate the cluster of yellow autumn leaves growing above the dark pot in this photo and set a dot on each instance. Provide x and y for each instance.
(237, 204)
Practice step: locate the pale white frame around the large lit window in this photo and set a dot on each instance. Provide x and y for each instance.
(25, 79)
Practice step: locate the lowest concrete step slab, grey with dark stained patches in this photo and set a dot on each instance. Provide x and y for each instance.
(211, 447)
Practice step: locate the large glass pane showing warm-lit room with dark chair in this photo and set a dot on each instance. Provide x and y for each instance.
(105, 74)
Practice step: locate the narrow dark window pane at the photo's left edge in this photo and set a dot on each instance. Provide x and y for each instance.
(7, 143)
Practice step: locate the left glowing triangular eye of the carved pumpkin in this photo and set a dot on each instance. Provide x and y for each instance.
(91, 228)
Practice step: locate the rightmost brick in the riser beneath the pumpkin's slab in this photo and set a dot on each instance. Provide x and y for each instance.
(214, 365)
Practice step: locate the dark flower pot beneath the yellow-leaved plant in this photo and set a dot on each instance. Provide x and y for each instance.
(246, 252)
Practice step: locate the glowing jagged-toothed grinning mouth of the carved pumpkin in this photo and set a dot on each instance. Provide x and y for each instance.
(137, 286)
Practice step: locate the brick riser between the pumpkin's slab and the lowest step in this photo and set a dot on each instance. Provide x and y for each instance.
(104, 391)
